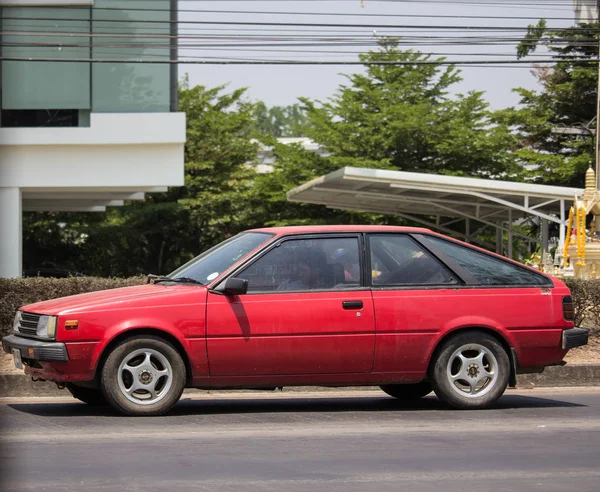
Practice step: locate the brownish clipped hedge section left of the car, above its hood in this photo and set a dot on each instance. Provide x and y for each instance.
(15, 293)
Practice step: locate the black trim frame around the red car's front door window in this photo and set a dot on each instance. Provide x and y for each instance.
(279, 240)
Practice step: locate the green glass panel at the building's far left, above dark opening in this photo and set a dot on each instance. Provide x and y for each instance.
(45, 85)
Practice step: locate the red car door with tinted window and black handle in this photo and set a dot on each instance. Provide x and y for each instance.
(305, 312)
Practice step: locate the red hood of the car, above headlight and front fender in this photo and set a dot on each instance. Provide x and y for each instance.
(142, 295)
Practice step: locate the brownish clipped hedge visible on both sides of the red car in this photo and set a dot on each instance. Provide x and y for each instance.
(15, 293)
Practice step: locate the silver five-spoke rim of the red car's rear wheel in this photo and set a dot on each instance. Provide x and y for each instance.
(472, 370)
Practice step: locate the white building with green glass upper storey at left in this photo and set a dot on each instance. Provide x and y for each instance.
(85, 128)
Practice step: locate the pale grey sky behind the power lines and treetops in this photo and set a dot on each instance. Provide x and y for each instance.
(282, 85)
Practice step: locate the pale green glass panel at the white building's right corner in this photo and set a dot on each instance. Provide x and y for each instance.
(123, 35)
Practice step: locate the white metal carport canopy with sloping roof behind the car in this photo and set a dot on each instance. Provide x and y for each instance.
(488, 202)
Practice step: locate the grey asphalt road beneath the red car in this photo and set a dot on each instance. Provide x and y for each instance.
(532, 440)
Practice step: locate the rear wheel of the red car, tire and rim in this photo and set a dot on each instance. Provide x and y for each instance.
(470, 371)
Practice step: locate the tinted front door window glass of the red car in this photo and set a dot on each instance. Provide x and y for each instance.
(306, 264)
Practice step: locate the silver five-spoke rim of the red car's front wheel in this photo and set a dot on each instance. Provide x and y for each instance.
(145, 376)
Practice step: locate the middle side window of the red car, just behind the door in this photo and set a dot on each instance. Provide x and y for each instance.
(398, 260)
